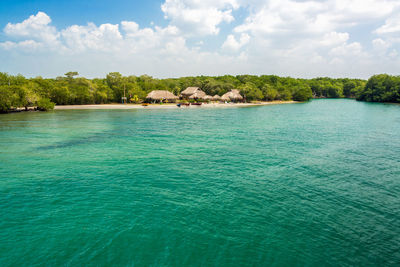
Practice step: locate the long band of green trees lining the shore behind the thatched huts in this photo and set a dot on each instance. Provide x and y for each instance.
(70, 89)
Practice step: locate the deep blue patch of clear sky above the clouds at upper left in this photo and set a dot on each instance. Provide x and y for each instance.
(65, 13)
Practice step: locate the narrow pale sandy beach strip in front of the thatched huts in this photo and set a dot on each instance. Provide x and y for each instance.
(167, 106)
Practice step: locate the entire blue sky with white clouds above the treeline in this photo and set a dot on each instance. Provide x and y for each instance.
(175, 38)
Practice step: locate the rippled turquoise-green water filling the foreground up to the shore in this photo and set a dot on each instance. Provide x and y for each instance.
(311, 184)
